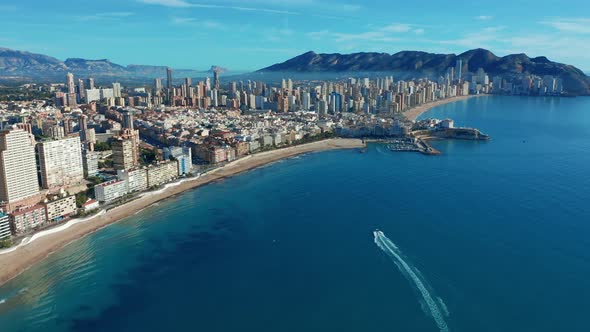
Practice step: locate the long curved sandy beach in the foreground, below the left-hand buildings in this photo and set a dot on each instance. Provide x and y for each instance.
(15, 262)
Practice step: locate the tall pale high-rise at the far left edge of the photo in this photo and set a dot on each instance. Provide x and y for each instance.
(18, 166)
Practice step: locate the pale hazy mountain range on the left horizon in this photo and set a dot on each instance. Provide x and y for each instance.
(20, 66)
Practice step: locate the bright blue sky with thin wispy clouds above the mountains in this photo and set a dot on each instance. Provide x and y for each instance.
(252, 34)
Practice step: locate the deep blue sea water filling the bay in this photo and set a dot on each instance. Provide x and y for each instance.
(499, 230)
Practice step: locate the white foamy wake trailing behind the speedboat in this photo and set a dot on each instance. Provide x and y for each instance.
(434, 306)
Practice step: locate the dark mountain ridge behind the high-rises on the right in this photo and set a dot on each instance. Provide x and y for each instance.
(413, 63)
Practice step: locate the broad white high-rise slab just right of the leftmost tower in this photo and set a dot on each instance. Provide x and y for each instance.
(60, 163)
